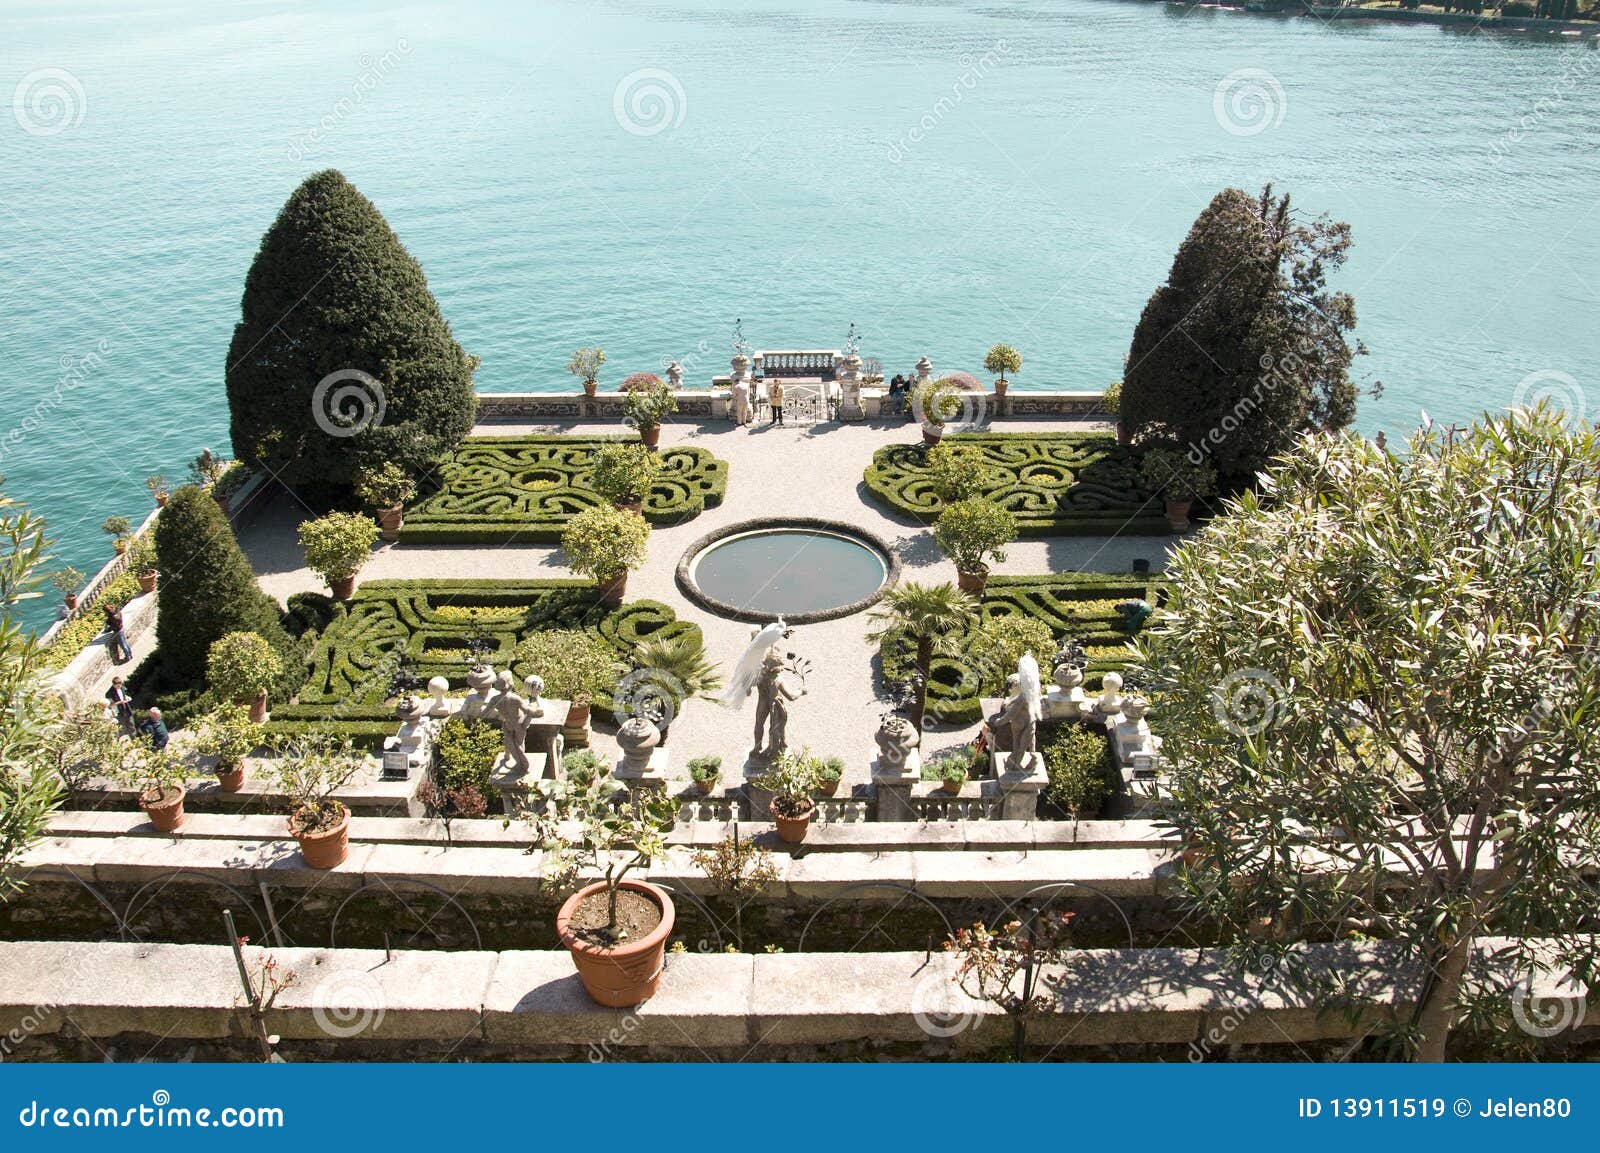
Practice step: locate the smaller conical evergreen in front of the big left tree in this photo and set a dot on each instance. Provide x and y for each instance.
(209, 589)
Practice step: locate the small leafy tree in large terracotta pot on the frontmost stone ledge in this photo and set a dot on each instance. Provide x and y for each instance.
(615, 928)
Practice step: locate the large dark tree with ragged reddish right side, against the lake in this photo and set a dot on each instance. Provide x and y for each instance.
(1244, 348)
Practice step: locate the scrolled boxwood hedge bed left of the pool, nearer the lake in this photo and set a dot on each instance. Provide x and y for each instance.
(498, 490)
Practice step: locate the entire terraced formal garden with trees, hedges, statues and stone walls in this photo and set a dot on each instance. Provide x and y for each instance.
(404, 690)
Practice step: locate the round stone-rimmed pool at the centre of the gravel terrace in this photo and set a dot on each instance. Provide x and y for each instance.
(794, 569)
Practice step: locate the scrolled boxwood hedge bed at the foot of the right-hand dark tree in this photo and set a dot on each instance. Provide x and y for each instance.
(1055, 484)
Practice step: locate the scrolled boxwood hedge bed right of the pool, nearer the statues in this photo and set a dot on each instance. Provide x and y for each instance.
(1074, 605)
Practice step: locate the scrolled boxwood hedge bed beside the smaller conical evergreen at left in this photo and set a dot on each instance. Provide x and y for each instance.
(425, 626)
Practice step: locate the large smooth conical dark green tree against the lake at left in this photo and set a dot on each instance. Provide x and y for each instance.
(332, 293)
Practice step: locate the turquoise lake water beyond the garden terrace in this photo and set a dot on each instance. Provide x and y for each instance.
(943, 175)
